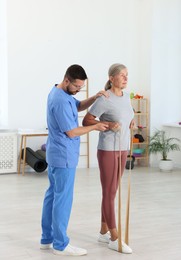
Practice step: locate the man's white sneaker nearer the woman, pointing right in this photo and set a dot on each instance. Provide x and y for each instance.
(70, 250)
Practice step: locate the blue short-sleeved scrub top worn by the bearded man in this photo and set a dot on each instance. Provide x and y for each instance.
(62, 116)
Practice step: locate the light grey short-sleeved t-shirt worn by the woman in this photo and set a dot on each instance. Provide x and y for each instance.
(114, 109)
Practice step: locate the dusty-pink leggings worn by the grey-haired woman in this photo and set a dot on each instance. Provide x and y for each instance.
(109, 175)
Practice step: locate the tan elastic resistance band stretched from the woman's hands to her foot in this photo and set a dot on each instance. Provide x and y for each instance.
(128, 200)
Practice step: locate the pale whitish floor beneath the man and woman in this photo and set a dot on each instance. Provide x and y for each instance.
(155, 215)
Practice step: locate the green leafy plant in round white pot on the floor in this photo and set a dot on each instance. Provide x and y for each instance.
(160, 143)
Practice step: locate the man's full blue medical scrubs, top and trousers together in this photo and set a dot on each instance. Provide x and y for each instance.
(62, 153)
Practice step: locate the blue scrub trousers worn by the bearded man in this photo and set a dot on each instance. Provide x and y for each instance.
(57, 207)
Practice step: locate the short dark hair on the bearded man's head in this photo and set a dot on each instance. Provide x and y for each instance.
(75, 72)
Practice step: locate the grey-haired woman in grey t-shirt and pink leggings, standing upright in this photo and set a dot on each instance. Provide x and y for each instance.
(117, 112)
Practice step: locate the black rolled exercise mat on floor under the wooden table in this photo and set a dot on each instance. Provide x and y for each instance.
(34, 160)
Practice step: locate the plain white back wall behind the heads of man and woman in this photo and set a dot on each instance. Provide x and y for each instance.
(44, 37)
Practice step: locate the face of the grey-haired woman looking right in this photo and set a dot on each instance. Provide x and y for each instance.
(120, 80)
